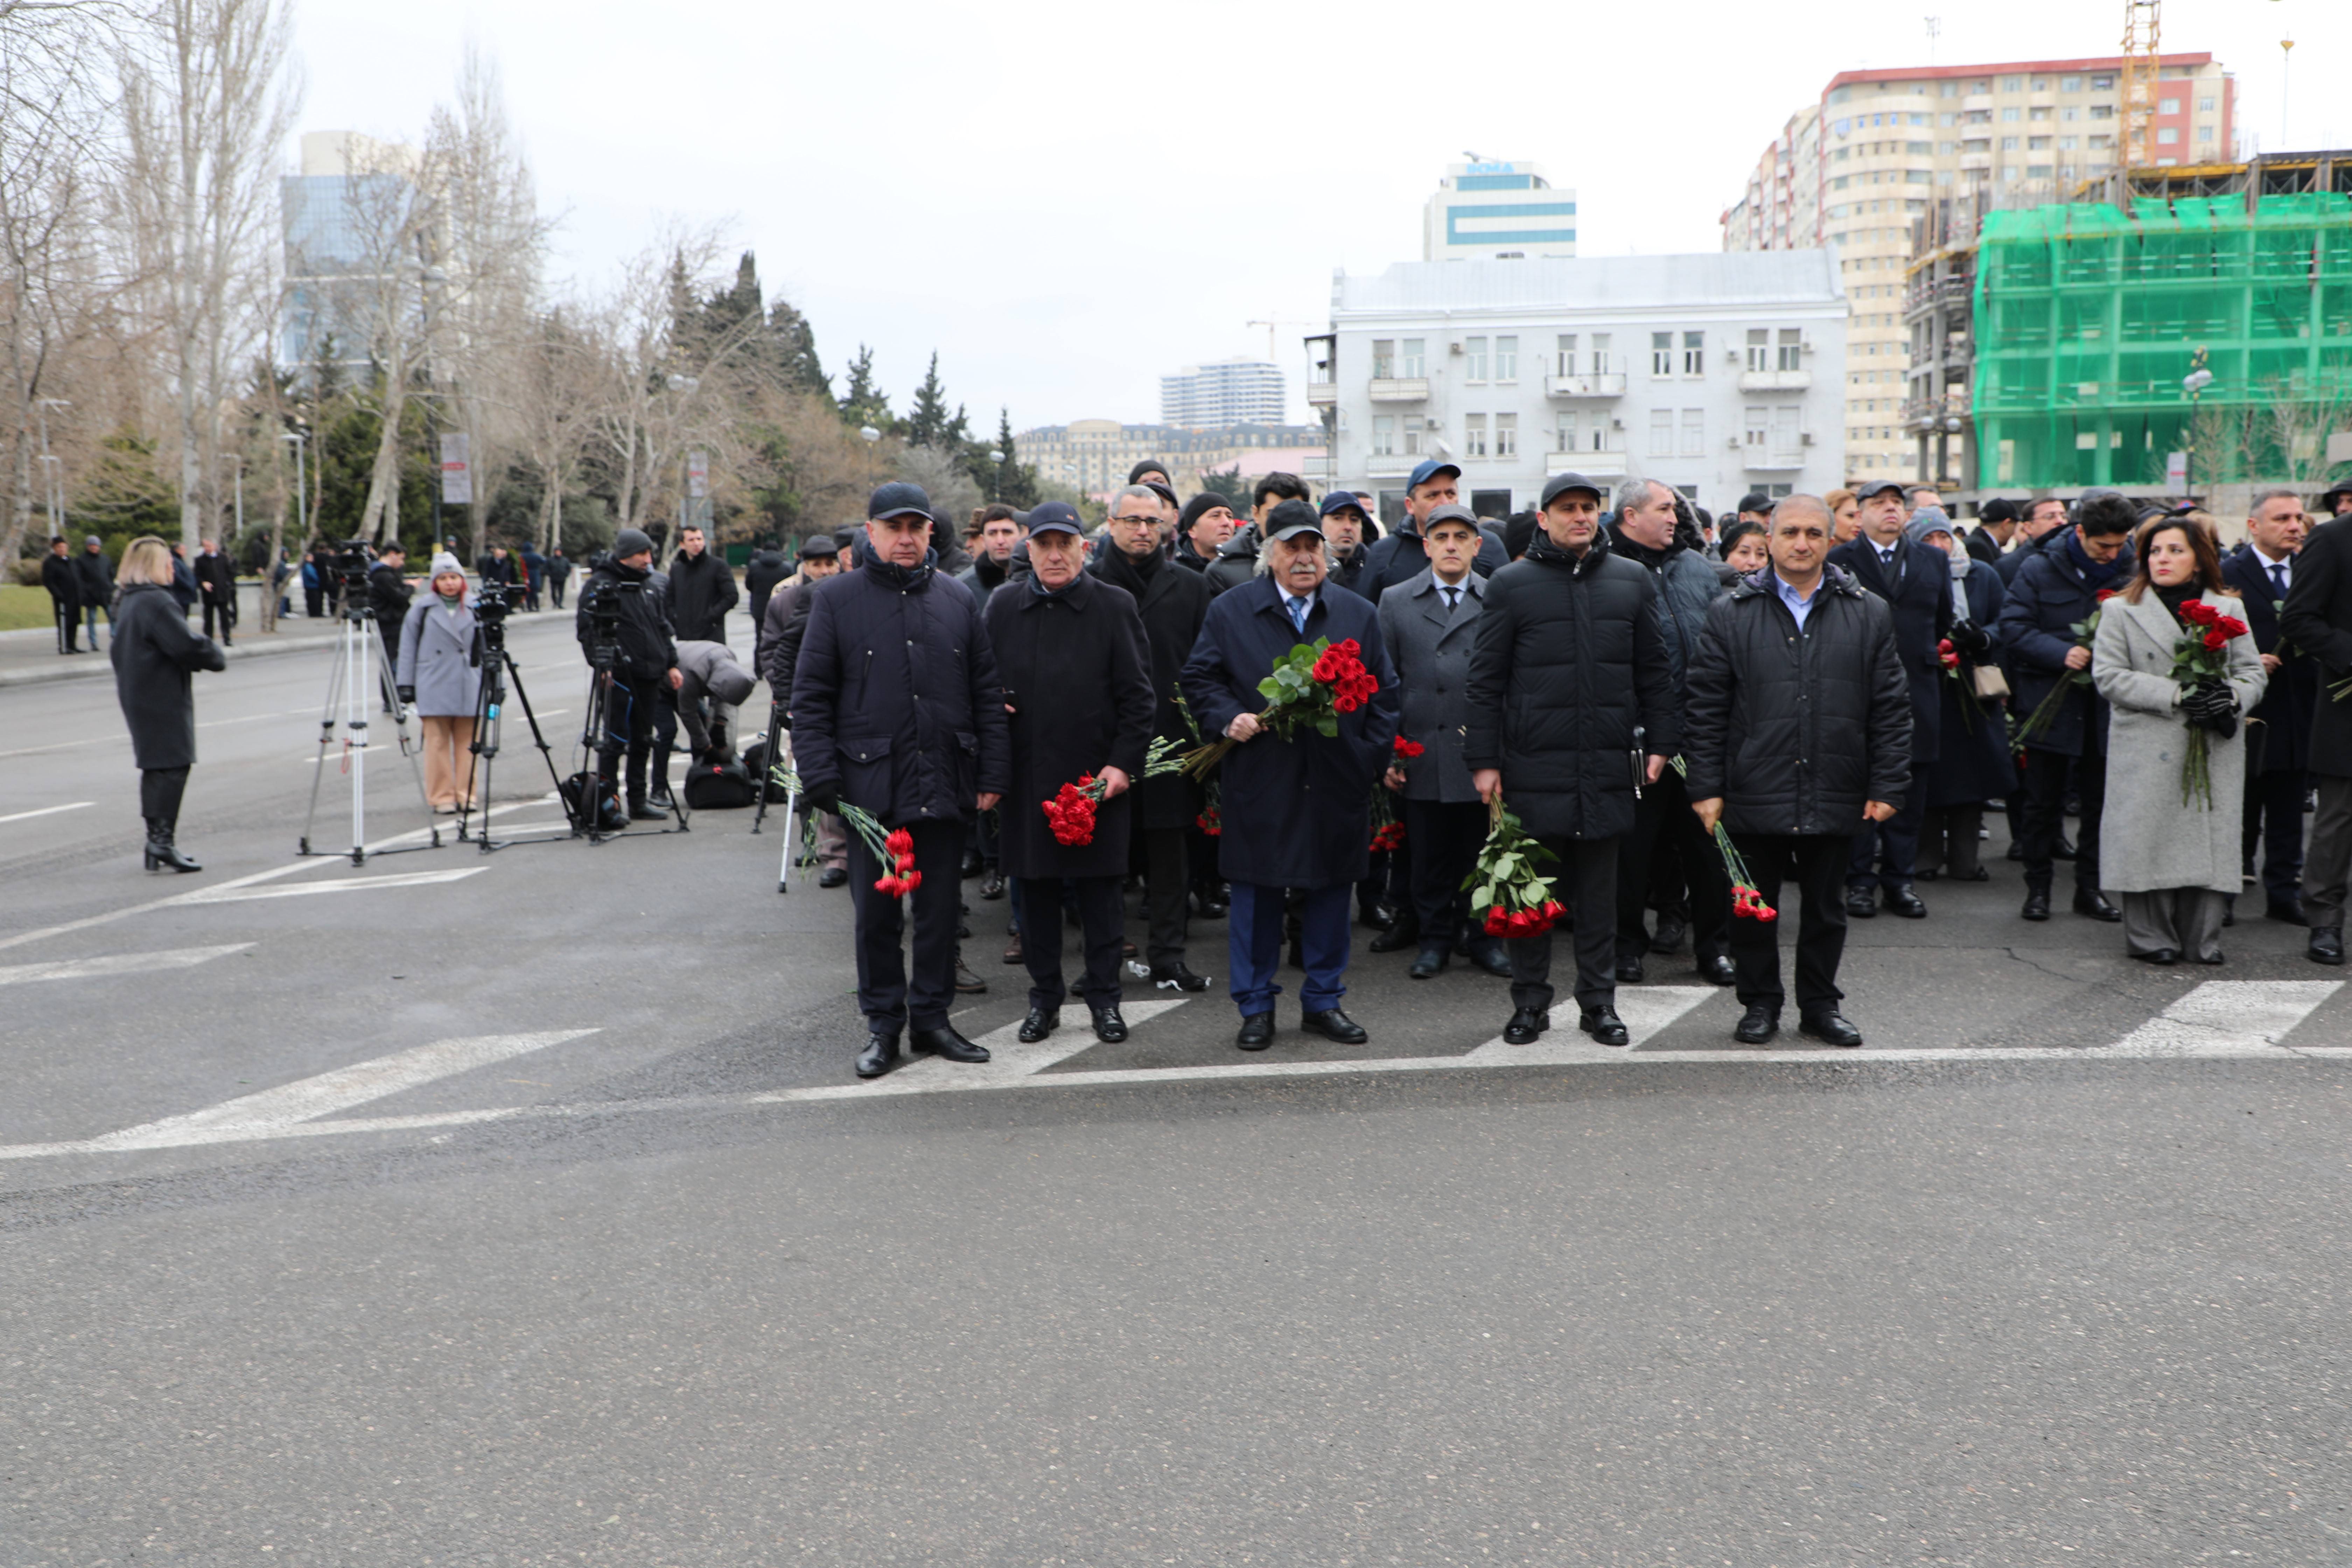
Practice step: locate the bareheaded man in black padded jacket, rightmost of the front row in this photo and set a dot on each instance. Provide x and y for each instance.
(1798, 735)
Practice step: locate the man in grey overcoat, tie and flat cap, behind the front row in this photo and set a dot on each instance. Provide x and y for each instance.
(1429, 624)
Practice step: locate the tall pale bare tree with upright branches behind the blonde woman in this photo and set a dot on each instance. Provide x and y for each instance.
(206, 105)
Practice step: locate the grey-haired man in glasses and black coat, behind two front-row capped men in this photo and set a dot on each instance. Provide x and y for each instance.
(1175, 605)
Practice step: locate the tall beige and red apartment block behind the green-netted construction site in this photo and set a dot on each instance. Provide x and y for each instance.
(1887, 145)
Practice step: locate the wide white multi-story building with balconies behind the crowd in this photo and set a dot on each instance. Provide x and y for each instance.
(1716, 375)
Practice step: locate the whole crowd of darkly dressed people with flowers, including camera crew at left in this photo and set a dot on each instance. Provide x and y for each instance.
(1681, 713)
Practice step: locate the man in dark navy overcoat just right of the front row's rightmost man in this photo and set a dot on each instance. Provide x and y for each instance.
(1918, 589)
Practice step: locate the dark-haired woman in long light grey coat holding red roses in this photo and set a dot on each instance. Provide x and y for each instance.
(2170, 864)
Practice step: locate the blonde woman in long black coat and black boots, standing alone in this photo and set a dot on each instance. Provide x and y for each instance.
(154, 655)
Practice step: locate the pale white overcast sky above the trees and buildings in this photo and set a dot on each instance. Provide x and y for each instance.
(1069, 201)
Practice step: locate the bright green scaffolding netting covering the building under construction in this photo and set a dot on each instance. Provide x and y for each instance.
(2087, 321)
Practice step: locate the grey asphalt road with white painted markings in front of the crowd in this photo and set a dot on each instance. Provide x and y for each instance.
(512, 1209)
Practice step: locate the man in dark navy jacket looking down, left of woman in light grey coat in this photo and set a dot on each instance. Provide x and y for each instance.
(2052, 594)
